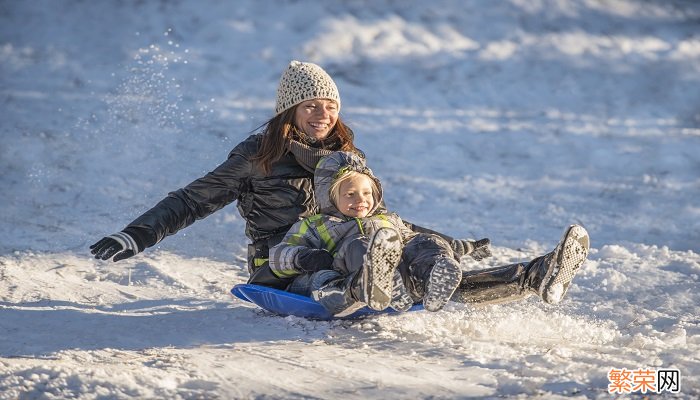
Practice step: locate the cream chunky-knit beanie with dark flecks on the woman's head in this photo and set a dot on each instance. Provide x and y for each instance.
(304, 81)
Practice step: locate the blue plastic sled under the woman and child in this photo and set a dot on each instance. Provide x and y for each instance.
(285, 303)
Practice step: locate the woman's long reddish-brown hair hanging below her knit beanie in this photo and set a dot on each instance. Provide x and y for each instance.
(278, 130)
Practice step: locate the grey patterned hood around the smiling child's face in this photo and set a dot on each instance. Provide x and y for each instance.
(333, 167)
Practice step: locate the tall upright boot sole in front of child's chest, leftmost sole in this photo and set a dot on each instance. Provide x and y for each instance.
(383, 255)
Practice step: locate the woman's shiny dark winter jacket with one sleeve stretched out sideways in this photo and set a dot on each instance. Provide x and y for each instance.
(270, 204)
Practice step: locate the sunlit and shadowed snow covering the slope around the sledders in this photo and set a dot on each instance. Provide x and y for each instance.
(508, 120)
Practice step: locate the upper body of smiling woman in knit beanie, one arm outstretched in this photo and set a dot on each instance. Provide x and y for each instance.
(269, 174)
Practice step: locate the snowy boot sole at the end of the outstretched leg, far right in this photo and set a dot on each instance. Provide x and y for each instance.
(569, 256)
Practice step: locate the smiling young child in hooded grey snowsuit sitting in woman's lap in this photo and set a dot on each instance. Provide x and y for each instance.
(354, 246)
